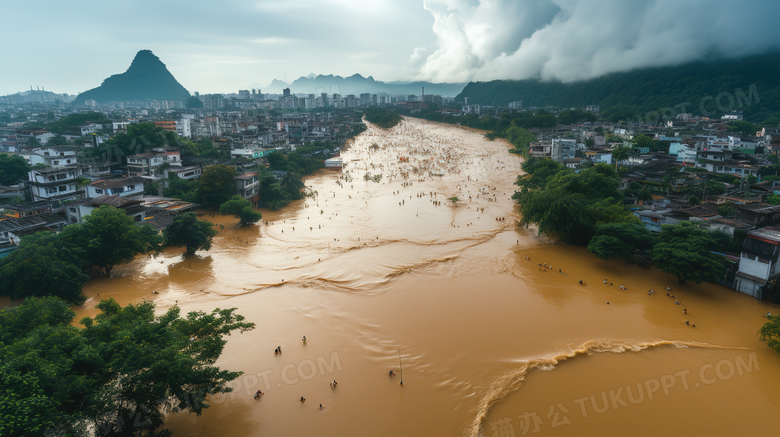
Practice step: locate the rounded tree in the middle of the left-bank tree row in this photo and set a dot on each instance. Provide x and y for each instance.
(112, 237)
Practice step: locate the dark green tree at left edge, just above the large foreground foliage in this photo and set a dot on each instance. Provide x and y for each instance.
(41, 266)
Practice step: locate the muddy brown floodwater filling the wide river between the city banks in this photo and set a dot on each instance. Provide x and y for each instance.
(373, 272)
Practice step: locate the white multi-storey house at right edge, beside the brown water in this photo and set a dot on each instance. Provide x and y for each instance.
(758, 261)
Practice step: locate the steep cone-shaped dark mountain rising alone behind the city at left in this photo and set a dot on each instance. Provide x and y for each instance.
(146, 79)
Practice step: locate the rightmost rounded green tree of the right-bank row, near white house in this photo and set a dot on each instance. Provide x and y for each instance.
(684, 250)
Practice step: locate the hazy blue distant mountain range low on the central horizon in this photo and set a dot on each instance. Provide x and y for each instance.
(357, 84)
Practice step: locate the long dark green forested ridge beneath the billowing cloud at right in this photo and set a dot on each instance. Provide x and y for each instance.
(690, 88)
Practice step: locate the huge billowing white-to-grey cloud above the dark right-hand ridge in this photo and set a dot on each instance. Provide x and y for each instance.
(572, 40)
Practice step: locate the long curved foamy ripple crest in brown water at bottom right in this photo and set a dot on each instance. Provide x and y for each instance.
(513, 379)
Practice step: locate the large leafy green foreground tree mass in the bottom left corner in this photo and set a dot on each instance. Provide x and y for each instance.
(118, 376)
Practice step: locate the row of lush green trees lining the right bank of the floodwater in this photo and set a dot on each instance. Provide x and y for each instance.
(587, 209)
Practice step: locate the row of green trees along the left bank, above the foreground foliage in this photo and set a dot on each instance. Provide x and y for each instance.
(47, 264)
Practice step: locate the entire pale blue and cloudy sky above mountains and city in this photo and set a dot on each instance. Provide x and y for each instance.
(222, 46)
